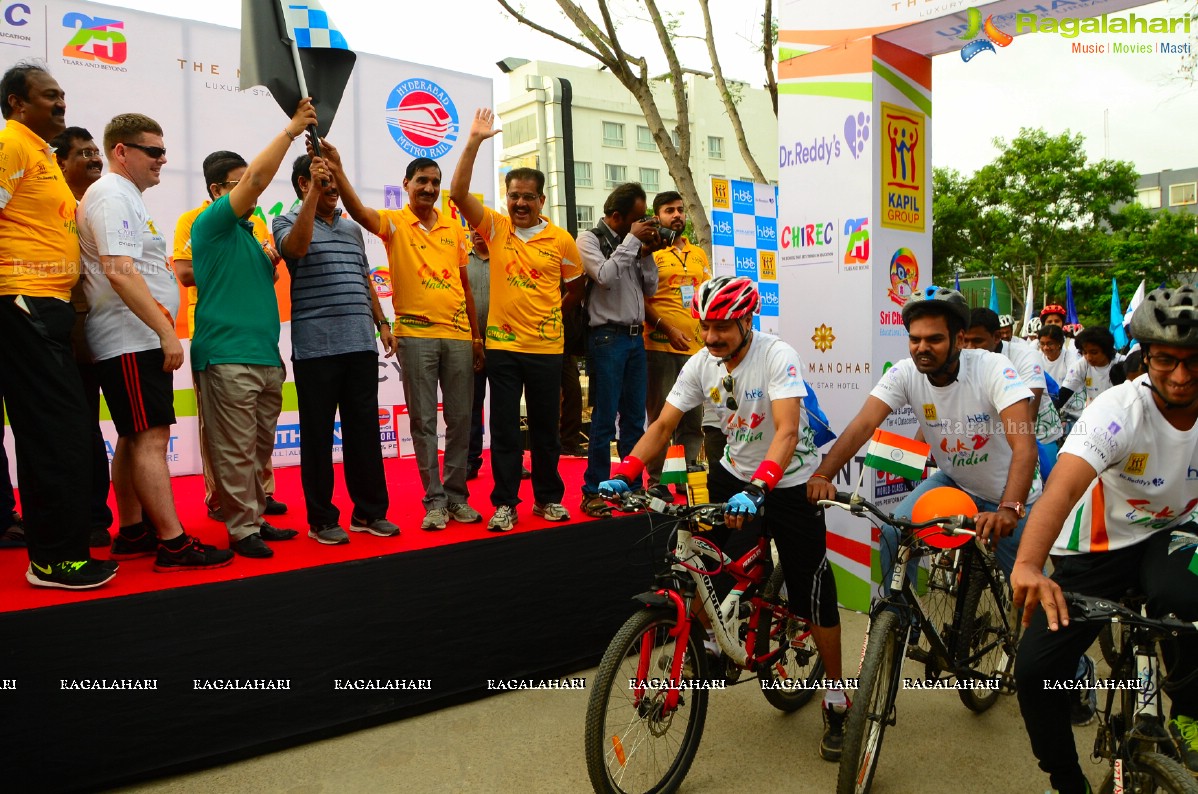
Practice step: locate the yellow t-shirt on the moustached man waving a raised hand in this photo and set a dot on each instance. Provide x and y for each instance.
(527, 277)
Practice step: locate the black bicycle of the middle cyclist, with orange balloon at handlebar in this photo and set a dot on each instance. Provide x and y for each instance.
(975, 643)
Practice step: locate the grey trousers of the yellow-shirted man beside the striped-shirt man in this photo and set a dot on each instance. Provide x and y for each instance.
(450, 363)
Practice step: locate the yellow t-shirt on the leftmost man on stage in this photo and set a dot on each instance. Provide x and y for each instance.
(39, 241)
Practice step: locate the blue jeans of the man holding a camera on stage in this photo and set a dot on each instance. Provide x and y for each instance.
(619, 381)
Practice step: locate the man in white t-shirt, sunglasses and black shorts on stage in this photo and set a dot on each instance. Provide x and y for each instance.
(131, 332)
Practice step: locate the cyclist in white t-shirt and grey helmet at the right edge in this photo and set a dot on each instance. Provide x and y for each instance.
(1116, 516)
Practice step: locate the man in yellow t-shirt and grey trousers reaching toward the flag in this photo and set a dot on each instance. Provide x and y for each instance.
(437, 329)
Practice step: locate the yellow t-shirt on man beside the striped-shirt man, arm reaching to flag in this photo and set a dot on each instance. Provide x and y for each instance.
(426, 275)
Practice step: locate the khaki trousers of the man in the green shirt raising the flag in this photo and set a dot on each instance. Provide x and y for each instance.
(241, 410)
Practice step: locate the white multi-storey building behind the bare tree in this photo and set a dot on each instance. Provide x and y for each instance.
(585, 125)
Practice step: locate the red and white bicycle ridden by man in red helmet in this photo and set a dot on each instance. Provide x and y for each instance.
(649, 705)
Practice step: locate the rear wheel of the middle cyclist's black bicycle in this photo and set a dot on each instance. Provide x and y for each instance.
(983, 626)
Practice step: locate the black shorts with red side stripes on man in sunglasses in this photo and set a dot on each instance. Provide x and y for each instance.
(138, 393)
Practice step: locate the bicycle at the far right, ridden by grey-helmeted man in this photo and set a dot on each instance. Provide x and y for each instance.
(1142, 754)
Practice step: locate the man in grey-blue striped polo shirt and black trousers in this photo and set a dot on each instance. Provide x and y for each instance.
(335, 313)
